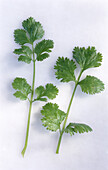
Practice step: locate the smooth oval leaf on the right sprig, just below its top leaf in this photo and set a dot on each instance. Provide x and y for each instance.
(91, 85)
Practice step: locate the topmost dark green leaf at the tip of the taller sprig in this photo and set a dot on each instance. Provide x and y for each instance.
(33, 28)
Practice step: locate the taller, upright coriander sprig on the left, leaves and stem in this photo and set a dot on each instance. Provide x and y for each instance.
(32, 52)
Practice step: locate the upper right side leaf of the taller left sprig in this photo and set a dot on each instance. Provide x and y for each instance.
(43, 48)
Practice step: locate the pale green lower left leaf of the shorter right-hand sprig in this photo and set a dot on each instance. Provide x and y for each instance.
(52, 116)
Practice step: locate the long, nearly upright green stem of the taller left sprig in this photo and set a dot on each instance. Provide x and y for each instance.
(30, 107)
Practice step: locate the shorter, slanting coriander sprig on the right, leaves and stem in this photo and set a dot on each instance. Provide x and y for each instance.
(65, 68)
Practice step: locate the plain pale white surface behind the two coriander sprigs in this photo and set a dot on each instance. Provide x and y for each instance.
(69, 23)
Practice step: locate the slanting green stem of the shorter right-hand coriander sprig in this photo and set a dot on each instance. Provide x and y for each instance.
(64, 124)
